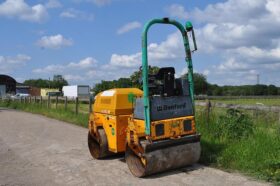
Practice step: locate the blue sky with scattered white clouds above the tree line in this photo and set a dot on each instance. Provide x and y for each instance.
(87, 41)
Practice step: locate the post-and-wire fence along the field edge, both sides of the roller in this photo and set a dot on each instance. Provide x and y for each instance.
(252, 103)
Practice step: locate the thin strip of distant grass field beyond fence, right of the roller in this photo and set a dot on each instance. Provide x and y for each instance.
(268, 102)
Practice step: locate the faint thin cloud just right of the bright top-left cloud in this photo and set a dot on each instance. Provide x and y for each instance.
(76, 14)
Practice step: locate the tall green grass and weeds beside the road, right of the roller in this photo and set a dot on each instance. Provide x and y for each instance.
(256, 154)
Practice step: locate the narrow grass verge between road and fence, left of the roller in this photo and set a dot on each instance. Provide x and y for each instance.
(60, 113)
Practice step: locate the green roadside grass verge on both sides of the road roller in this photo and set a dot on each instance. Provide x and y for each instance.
(231, 140)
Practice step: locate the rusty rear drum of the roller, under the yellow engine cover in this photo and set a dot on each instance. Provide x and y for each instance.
(98, 146)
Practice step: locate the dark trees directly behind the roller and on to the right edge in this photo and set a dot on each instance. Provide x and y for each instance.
(201, 86)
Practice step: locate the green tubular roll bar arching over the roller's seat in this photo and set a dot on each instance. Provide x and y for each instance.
(188, 59)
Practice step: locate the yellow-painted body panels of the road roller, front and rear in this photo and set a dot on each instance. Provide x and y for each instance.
(113, 111)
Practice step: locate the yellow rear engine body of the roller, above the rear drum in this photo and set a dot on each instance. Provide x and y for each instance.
(111, 111)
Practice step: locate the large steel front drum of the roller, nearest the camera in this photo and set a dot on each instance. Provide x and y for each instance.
(164, 159)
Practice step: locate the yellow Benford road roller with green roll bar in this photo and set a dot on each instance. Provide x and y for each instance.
(154, 127)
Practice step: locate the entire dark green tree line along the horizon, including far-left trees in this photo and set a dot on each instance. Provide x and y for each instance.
(201, 85)
